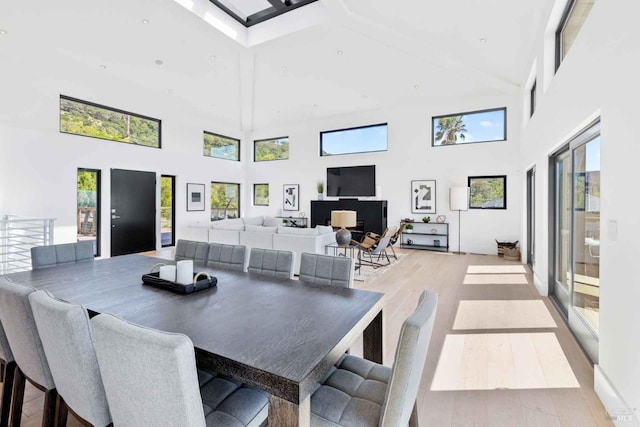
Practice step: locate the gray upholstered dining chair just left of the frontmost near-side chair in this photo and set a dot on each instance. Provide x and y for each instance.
(66, 338)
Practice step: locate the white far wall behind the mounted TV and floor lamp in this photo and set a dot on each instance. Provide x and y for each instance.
(410, 156)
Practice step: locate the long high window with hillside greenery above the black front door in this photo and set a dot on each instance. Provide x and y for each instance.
(84, 118)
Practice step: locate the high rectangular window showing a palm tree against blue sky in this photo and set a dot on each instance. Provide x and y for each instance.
(467, 128)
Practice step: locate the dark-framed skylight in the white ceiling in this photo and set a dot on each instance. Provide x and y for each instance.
(252, 12)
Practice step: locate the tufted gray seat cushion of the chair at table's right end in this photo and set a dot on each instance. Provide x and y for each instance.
(352, 395)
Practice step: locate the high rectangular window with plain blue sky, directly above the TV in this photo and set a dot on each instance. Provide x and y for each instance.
(362, 139)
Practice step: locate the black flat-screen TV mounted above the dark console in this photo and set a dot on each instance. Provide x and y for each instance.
(353, 181)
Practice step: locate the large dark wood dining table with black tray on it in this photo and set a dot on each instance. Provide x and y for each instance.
(279, 335)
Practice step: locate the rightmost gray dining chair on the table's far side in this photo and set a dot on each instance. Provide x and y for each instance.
(326, 270)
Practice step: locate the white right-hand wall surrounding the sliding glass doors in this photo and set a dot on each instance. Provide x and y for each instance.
(599, 76)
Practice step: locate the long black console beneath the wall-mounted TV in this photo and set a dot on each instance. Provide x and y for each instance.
(371, 214)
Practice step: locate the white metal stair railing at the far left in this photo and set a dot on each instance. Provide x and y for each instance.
(18, 235)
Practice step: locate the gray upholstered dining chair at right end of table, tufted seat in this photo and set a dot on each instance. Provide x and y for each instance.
(361, 393)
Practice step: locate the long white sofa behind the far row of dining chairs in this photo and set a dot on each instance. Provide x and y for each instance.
(264, 233)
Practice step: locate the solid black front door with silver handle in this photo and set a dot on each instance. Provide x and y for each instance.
(133, 211)
